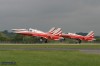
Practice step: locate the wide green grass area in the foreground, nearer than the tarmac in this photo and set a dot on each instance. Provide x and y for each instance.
(49, 58)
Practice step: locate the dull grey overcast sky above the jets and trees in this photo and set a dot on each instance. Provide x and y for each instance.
(70, 15)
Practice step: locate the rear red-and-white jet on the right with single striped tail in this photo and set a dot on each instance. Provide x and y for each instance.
(79, 38)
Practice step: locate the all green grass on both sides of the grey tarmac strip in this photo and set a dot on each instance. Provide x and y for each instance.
(48, 57)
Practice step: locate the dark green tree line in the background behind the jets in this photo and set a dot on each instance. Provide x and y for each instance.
(9, 37)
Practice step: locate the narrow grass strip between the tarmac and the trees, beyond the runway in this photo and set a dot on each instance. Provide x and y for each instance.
(59, 45)
